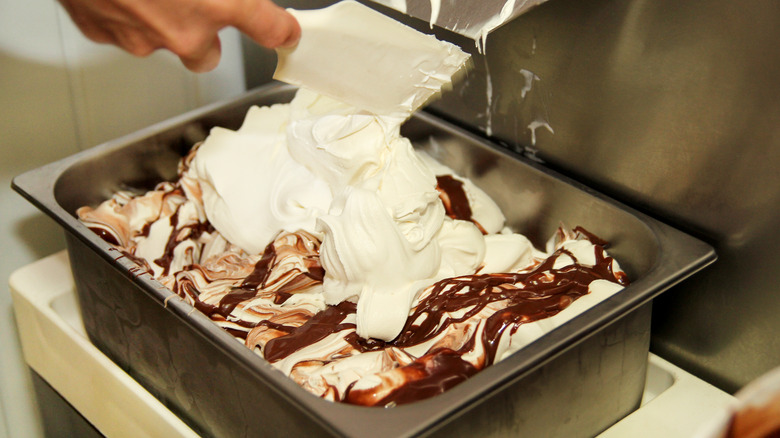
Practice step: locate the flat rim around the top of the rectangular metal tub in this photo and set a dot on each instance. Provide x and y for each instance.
(680, 256)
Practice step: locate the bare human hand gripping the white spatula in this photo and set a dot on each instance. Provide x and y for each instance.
(187, 28)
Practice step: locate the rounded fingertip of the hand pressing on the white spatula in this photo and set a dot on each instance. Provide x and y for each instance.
(268, 24)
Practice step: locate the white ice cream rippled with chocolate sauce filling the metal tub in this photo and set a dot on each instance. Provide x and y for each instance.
(359, 267)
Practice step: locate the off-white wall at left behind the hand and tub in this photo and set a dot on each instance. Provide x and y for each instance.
(60, 93)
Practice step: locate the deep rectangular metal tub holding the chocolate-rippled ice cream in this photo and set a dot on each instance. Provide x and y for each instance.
(576, 381)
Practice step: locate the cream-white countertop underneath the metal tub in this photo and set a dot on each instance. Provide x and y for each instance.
(55, 345)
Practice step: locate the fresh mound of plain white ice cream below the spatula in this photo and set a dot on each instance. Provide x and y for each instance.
(348, 177)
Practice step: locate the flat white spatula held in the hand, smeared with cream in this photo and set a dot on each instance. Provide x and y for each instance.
(352, 53)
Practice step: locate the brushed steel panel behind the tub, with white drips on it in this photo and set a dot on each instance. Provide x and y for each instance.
(670, 106)
